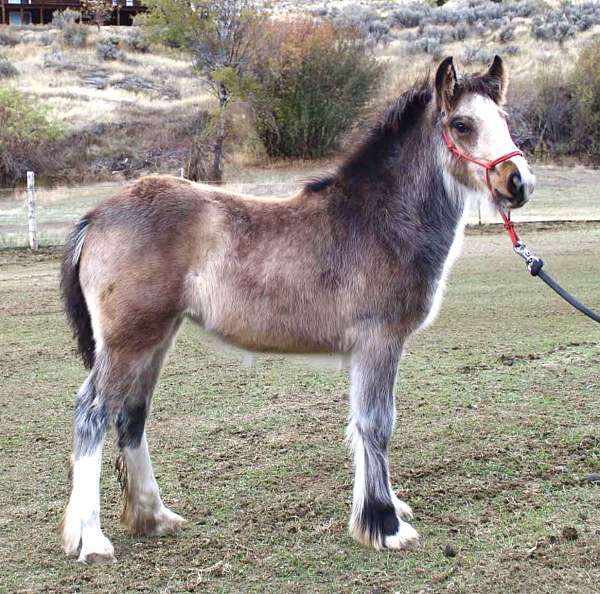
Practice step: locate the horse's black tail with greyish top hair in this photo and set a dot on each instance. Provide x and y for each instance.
(73, 298)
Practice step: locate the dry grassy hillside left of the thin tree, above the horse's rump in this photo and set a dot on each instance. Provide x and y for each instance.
(127, 114)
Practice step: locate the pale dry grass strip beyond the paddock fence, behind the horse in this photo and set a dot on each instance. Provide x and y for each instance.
(564, 193)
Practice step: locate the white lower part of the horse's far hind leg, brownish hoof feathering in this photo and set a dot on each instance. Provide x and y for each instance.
(145, 513)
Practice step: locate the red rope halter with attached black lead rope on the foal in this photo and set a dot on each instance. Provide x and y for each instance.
(533, 263)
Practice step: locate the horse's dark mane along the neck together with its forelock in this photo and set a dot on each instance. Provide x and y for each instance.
(397, 120)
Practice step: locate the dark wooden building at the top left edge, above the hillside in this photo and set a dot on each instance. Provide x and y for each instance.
(39, 12)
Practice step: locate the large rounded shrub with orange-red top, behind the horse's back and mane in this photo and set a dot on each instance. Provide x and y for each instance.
(313, 84)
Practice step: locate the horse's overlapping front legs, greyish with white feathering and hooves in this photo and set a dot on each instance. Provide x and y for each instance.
(378, 516)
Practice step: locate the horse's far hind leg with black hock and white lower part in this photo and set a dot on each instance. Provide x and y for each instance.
(143, 510)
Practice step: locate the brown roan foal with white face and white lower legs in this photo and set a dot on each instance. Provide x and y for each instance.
(352, 264)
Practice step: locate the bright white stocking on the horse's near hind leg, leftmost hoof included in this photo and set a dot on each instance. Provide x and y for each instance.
(81, 523)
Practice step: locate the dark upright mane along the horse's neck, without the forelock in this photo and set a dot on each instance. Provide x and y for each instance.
(396, 120)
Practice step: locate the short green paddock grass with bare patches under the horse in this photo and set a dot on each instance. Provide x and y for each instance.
(498, 412)
